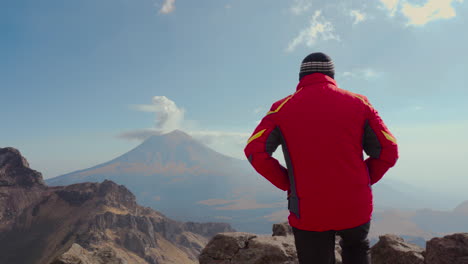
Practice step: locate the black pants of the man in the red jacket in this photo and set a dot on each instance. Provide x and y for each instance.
(319, 247)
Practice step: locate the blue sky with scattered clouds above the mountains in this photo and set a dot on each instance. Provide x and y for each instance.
(82, 82)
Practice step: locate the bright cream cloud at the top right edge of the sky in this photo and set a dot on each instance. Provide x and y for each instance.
(419, 15)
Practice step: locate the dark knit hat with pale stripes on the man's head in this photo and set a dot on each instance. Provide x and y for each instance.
(317, 62)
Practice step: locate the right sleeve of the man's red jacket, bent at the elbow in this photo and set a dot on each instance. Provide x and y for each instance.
(379, 144)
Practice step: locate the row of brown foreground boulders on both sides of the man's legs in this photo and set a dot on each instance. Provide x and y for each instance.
(246, 248)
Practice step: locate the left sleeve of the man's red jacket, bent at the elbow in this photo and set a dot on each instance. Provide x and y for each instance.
(260, 147)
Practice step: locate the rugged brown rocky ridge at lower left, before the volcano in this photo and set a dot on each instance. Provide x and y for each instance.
(88, 223)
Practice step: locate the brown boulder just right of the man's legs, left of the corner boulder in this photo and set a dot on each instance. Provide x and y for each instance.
(392, 249)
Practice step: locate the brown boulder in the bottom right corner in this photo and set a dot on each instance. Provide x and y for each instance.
(448, 249)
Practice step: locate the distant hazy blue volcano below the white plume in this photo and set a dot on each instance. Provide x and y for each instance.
(188, 181)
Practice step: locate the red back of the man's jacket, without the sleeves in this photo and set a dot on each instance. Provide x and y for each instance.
(323, 128)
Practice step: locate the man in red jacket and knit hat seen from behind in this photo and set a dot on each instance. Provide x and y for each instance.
(323, 131)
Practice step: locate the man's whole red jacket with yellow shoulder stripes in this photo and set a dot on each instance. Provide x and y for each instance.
(323, 130)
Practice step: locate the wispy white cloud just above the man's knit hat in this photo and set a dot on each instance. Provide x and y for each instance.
(319, 28)
